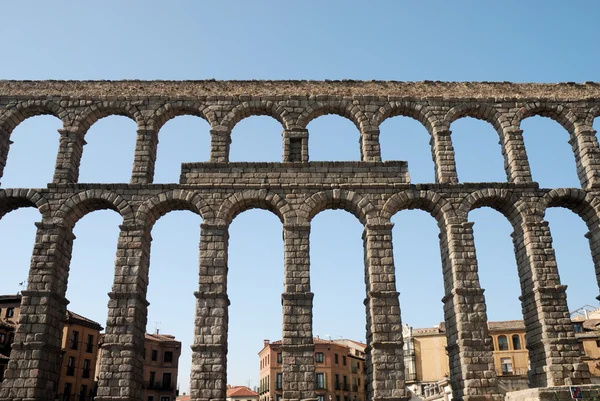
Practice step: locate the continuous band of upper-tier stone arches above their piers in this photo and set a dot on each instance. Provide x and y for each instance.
(293, 115)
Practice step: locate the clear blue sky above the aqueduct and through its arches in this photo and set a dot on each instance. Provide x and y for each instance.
(540, 41)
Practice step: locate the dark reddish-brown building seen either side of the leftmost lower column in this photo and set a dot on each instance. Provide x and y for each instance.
(79, 349)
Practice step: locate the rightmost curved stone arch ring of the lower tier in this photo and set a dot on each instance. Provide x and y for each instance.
(578, 201)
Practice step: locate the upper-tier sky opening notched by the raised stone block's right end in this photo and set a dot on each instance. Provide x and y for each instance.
(404, 138)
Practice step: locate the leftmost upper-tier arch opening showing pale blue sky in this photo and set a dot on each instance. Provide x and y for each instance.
(32, 156)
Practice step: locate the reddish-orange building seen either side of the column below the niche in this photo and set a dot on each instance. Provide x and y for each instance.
(339, 370)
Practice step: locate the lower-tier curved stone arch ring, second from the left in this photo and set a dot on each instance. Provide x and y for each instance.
(82, 203)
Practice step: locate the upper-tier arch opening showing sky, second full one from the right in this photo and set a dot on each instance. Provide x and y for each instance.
(478, 154)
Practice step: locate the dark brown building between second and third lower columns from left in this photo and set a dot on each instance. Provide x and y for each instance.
(161, 363)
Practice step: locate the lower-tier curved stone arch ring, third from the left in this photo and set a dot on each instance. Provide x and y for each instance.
(177, 199)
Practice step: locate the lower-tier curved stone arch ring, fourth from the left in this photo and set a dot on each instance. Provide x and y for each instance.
(254, 199)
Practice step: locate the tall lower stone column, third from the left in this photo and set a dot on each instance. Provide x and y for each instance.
(209, 351)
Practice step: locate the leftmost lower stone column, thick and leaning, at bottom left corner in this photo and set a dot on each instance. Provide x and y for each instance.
(34, 367)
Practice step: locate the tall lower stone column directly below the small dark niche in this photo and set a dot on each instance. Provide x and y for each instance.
(297, 344)
